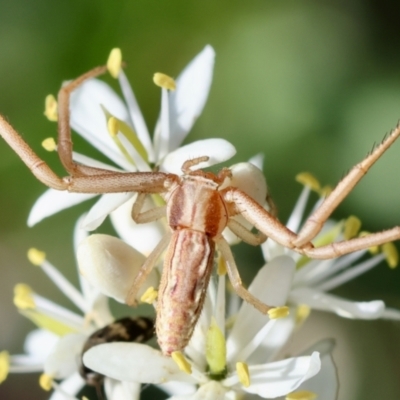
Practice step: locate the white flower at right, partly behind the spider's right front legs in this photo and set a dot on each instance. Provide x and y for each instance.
(315, 278)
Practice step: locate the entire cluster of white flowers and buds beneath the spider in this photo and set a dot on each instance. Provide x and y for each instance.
(234, 351)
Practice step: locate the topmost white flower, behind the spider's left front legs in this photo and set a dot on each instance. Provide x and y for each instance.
(95, 103)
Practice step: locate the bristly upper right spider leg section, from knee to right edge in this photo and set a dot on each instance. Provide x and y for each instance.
(315, 222)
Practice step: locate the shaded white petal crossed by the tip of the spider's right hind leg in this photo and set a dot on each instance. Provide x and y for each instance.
(271, 285)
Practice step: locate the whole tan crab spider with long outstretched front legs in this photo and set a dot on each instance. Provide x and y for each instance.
(197, 211)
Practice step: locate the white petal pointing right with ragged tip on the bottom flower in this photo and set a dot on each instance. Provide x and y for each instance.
(282, 377)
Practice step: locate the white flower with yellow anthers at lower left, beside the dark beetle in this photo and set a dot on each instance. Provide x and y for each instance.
(55, 349)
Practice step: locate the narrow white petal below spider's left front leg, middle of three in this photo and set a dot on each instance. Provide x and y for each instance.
(105, 205)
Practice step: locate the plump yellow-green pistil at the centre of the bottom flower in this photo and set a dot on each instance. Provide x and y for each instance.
(215, 348)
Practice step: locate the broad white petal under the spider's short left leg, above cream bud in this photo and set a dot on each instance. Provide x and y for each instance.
(143, 237)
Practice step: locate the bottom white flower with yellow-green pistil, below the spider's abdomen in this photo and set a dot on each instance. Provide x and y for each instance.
(243, 365)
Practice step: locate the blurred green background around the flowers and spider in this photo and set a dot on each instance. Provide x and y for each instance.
(313, 85)
